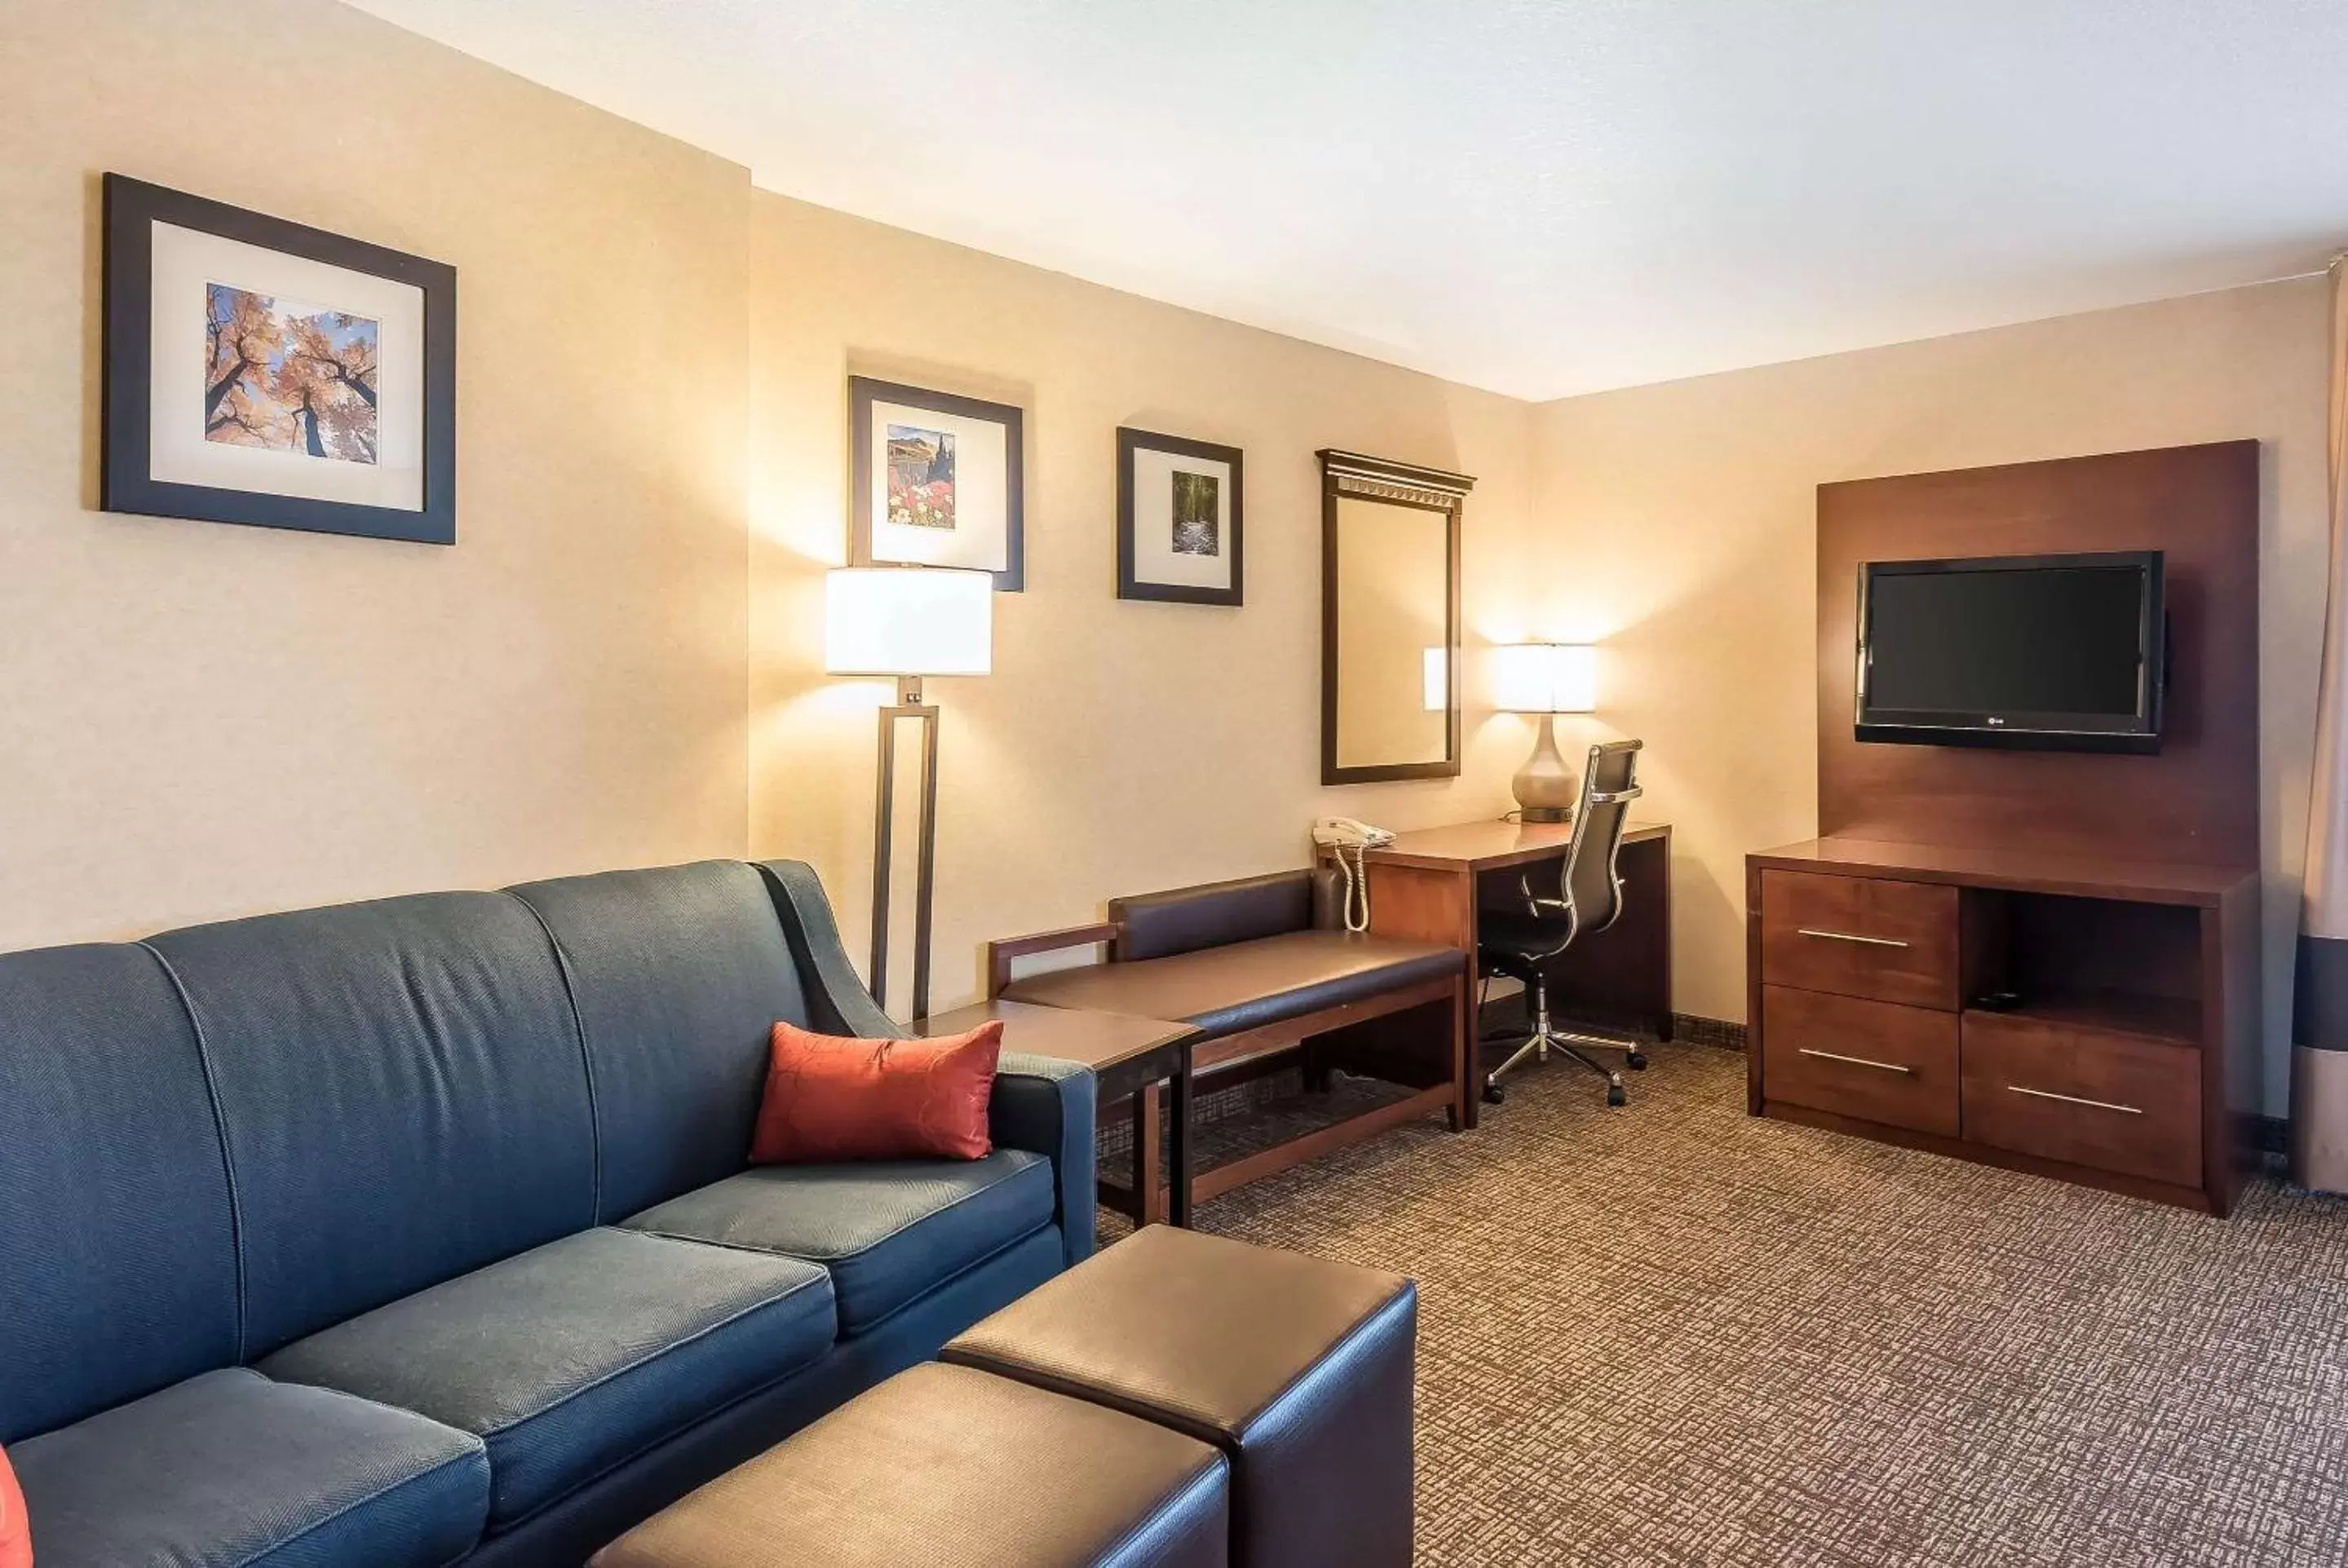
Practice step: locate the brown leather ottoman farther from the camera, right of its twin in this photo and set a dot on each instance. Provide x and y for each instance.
(1295, 1367)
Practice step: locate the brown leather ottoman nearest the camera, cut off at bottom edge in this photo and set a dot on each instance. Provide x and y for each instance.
(954, 1466)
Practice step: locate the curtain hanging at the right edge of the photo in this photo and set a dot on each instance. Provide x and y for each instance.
(2321, 1013)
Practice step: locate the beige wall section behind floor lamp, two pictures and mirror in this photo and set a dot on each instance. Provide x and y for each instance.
(1116, 748)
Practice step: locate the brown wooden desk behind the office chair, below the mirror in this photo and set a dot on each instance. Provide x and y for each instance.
(1433, 881)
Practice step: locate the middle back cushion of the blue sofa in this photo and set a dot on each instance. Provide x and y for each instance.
(403, 1097)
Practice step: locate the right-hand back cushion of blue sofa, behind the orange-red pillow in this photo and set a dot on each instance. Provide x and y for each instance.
(680, 980)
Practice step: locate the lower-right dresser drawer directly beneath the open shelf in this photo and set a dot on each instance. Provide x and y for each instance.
(2084, 1097)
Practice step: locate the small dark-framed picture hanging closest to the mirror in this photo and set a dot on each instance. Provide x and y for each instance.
(1180, 520)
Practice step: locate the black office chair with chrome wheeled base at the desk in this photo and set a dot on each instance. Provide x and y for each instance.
(1523, 942)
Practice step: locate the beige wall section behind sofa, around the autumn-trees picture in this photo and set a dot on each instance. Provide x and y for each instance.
(203, 719)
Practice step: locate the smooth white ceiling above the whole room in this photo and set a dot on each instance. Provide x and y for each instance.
(1532, 196)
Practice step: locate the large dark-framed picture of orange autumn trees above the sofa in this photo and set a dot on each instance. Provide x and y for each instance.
(262, 372)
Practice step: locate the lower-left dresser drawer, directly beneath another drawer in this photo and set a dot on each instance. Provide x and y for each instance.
(1875, 1062)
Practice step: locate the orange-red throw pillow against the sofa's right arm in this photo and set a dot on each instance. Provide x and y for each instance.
(877, 1100)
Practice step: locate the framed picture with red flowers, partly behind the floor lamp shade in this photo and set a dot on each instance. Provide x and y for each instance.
(938, 480)
